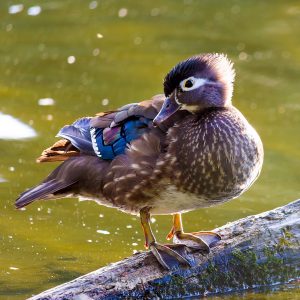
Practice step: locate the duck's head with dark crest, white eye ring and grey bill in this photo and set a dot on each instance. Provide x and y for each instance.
(197, 83)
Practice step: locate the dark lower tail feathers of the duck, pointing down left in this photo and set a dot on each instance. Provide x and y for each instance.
(43, 191)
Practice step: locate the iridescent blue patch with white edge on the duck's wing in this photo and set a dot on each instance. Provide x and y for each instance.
(113, 141)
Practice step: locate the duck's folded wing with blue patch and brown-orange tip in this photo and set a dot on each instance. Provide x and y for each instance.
(107, 134)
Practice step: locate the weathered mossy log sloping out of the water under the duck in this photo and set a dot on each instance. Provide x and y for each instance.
(255, 251)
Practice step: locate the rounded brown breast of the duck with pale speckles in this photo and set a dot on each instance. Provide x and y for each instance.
(216, 155)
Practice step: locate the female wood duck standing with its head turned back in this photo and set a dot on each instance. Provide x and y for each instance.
(168, 155)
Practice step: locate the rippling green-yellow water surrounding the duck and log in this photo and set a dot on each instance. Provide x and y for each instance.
(123, 59)
